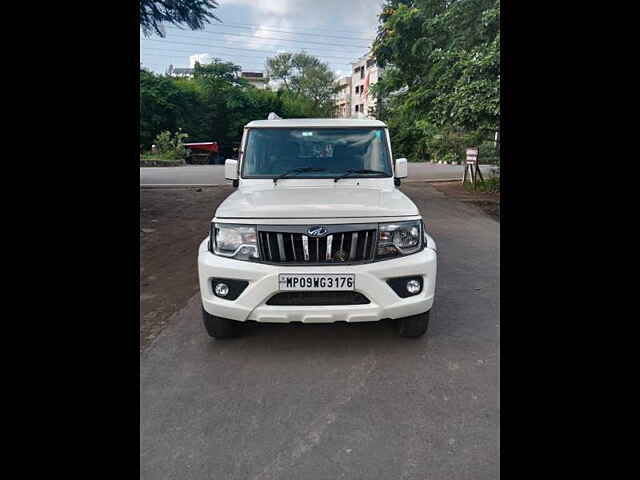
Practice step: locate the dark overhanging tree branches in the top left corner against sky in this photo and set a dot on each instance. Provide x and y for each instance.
(192, 13)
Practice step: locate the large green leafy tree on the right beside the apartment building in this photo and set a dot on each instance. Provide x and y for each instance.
(440, 92)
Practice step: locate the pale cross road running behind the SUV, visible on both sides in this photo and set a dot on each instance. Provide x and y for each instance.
(214, 174)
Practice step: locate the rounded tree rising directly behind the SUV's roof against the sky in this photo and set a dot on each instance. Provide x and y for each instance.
(305, 76)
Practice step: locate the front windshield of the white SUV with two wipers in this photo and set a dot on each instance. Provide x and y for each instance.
(317, 153)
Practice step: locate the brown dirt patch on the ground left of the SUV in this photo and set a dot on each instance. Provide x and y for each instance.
(173, 222)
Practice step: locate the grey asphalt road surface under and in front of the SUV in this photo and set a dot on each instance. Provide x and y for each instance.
(339, 401)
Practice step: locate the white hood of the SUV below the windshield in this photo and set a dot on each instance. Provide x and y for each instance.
(316, 202)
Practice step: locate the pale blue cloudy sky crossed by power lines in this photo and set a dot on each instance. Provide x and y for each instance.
(336, 31)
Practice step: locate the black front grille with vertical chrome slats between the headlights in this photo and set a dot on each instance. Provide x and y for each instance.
(342, 244)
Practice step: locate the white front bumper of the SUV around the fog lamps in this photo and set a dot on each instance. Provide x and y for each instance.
(263, 284)
